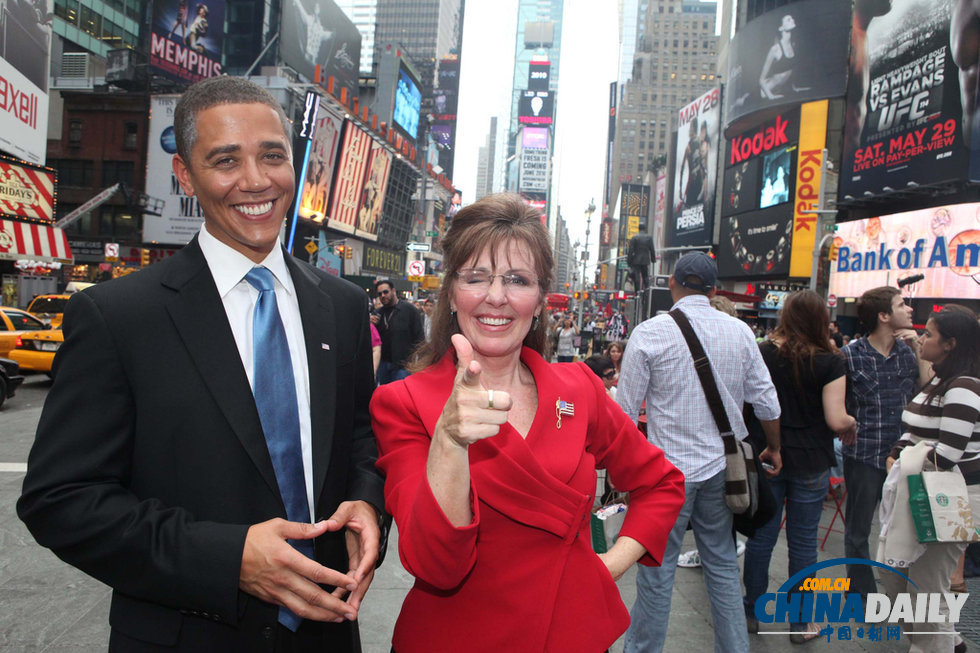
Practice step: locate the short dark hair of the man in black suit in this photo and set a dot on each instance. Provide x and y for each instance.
(211, 92)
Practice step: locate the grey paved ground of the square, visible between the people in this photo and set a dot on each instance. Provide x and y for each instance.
(46, 605)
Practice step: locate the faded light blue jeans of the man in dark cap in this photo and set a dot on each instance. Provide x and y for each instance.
(705, 508)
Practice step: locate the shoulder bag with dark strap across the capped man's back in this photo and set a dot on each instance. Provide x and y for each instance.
(741, 472)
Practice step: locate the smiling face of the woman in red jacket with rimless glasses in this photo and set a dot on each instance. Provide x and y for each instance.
(496, 320)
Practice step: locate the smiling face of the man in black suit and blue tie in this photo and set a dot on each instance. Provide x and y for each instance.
(241, 172)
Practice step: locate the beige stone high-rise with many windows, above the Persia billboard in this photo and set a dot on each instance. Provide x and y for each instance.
(673, 65)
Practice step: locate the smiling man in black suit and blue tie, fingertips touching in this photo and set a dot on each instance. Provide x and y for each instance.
(156, 470)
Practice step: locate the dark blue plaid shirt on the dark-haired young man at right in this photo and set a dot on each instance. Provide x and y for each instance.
(878, 389)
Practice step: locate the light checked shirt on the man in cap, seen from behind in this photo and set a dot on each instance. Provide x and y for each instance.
(658, 367)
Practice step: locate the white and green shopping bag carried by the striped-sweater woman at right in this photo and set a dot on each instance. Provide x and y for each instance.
(940, 506)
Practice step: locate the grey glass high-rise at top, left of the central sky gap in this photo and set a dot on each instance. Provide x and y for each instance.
(425, 29)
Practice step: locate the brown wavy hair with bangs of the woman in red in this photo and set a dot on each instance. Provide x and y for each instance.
(488, 225)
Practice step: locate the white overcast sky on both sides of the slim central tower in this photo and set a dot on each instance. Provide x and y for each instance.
(589, 62)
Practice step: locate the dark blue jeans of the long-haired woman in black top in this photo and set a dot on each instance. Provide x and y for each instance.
(804, 495)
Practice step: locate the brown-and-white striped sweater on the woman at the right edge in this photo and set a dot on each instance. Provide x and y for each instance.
(952, 420)
